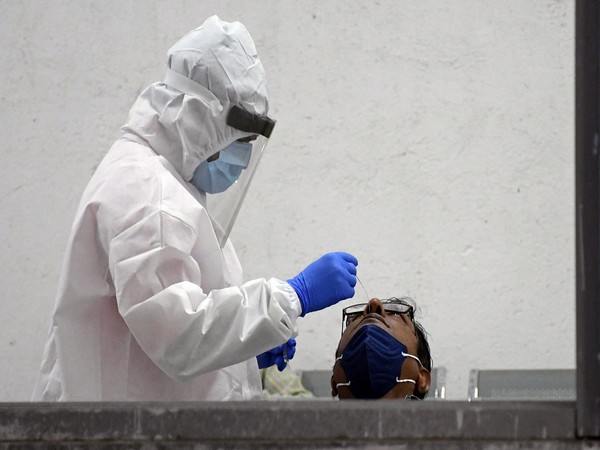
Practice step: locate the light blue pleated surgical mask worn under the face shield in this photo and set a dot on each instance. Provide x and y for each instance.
(218, 175)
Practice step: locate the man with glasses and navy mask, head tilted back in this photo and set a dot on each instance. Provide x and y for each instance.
(383, 352)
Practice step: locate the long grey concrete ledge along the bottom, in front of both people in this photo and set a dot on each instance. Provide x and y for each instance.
(306, 423)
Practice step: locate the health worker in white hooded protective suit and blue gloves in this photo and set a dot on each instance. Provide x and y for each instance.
(151, 303)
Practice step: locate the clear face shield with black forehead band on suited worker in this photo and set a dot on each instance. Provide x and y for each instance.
(225, 206)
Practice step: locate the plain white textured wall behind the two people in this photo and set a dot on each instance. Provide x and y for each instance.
(432, 139)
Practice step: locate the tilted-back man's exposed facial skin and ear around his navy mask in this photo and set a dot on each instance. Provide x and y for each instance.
(401, 327)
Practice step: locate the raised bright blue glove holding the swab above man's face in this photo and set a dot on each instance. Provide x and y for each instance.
(326, 281)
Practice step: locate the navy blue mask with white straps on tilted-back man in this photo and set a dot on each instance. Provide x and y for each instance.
(372, 361)
